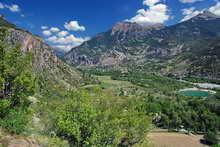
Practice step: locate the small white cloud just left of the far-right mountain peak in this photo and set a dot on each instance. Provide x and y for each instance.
(189, 13)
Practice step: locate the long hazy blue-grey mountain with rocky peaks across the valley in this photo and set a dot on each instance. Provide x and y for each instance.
(130, 46)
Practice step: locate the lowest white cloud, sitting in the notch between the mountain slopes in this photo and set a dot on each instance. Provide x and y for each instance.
(68, 42)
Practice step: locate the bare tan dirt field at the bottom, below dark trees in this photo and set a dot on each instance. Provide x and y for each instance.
(175, 140)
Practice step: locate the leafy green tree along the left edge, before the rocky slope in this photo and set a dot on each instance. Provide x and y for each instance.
(16, 84)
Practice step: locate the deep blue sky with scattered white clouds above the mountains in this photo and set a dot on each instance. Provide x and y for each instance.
(67, 23)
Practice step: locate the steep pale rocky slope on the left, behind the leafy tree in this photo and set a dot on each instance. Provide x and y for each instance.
(45, 63)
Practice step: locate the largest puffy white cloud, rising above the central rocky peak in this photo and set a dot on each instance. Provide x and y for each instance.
(156, 13)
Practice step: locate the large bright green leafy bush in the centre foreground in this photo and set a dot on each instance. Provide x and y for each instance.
(100, 120)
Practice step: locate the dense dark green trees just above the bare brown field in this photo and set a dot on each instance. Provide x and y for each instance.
(191, 114)
